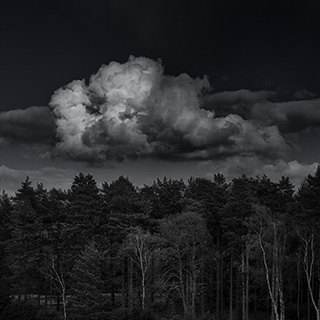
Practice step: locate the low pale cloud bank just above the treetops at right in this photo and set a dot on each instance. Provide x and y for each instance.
(255, 166)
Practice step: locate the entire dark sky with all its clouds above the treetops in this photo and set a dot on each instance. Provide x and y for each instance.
(148, 89)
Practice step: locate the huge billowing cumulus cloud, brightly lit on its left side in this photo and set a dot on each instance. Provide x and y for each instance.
(133, 110)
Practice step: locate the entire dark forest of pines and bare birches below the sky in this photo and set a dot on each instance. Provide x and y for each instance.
(205, 249)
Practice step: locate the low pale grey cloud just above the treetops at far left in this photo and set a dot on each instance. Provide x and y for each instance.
(51, 177)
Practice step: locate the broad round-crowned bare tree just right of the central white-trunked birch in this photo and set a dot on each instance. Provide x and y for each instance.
(186, 236)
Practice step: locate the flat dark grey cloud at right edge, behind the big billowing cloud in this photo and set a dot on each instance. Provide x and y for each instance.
(288, 116)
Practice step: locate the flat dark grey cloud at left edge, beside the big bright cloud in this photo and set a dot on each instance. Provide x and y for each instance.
(31, 126)
